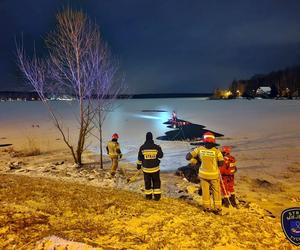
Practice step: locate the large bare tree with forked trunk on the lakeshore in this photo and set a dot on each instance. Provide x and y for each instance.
(76, 65)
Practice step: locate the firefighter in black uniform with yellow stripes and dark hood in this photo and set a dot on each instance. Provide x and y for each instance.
(148, 161)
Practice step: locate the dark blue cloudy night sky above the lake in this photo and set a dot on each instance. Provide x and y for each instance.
(168, 46)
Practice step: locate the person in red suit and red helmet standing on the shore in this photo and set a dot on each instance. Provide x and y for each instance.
(227, 172)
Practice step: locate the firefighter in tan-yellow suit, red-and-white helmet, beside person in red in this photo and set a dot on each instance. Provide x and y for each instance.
(211, 159)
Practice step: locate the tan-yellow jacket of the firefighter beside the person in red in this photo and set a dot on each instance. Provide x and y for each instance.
(209, 158)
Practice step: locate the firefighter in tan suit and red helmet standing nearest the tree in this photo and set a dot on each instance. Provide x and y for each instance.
(114, 152)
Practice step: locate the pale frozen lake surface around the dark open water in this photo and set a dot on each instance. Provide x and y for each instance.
(236, 119)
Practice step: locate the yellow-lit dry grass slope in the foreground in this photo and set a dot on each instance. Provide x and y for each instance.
(34, 208)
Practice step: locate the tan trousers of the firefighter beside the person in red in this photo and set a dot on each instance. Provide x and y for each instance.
(214, 186)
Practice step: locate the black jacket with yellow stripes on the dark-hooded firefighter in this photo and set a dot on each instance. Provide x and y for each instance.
(148, 157)
